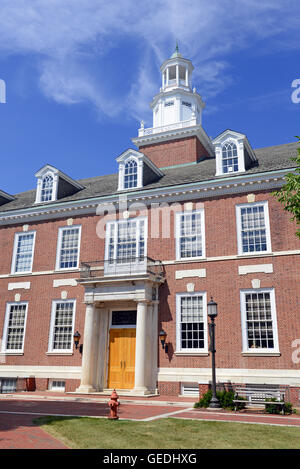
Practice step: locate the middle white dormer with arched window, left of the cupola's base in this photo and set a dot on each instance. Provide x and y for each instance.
(136, 170)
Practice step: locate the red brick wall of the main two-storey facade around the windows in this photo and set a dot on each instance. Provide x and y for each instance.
(222, 282)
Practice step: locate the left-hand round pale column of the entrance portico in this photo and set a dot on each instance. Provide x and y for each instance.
(88, 370)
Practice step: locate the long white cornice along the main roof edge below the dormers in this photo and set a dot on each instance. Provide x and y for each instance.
(181, 192)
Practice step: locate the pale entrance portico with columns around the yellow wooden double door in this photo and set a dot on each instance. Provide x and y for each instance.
(103, 296)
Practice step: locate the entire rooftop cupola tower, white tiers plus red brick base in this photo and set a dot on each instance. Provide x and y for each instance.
(177, 113)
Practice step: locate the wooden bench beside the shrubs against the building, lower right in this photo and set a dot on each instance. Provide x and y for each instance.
(258, 395)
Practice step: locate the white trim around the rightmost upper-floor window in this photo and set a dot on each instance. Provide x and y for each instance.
(239, 228)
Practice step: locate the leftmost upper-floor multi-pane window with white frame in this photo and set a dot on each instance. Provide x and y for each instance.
(23, 252)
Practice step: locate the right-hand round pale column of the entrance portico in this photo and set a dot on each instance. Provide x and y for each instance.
(140, 349)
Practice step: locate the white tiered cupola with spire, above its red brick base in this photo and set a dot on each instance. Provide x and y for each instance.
(177, 102)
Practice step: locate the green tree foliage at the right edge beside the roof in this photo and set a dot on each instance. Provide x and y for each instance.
(289, 194)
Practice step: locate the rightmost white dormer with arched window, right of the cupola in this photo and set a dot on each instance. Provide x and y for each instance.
(234, 153)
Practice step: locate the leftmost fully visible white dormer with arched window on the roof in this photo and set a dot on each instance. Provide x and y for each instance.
(53, 184)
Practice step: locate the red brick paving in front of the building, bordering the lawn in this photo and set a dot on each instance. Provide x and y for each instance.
(17, 430)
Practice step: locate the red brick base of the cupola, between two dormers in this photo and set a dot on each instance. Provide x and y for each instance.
(180, 151)
